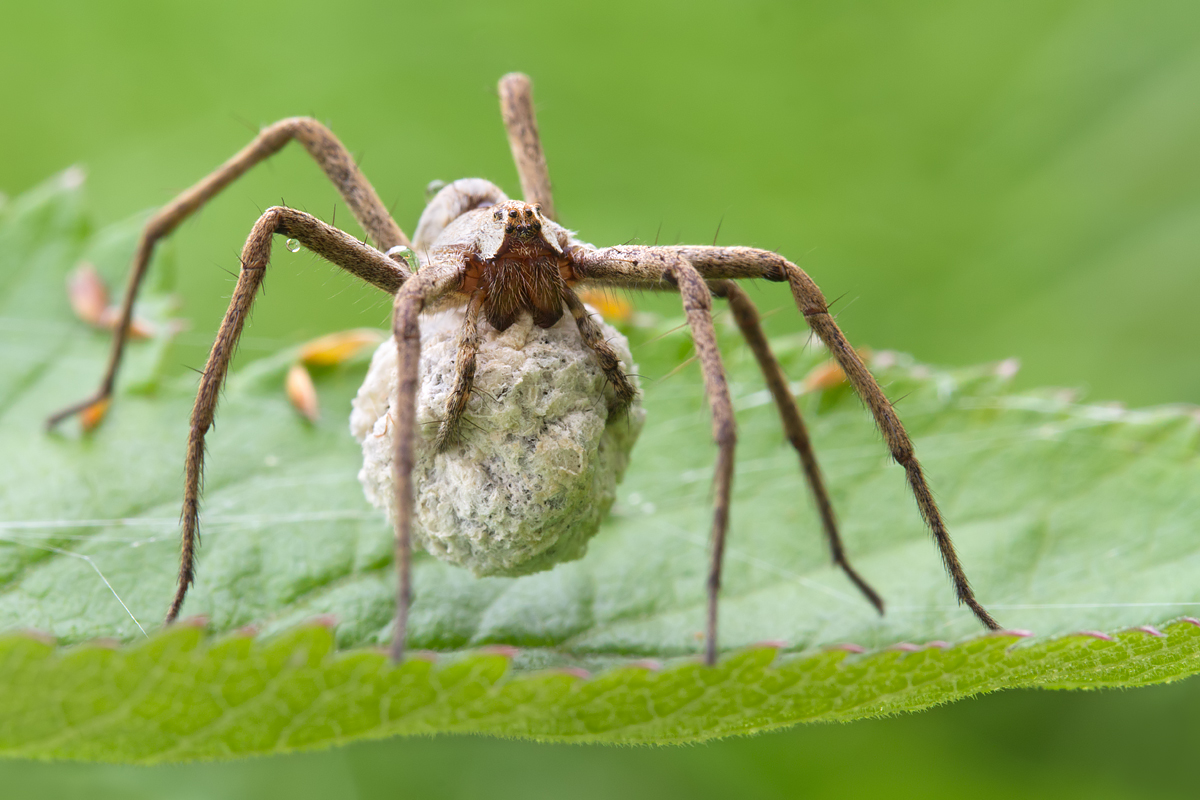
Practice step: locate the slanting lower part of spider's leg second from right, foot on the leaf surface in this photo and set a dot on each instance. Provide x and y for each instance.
(747, 318)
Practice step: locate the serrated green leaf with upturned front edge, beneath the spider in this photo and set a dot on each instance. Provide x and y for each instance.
(1069, 518)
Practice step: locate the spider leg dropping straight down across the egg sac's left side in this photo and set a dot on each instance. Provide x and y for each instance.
(433, 282)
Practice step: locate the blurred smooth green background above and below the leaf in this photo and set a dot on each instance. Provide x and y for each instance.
(971, 181)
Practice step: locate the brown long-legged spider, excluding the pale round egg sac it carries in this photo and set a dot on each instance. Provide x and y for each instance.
(501, 260)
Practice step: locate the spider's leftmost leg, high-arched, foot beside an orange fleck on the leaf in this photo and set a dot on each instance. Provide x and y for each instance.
(327, 152)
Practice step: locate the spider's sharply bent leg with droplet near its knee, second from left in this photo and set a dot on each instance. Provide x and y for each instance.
(339, 248)
